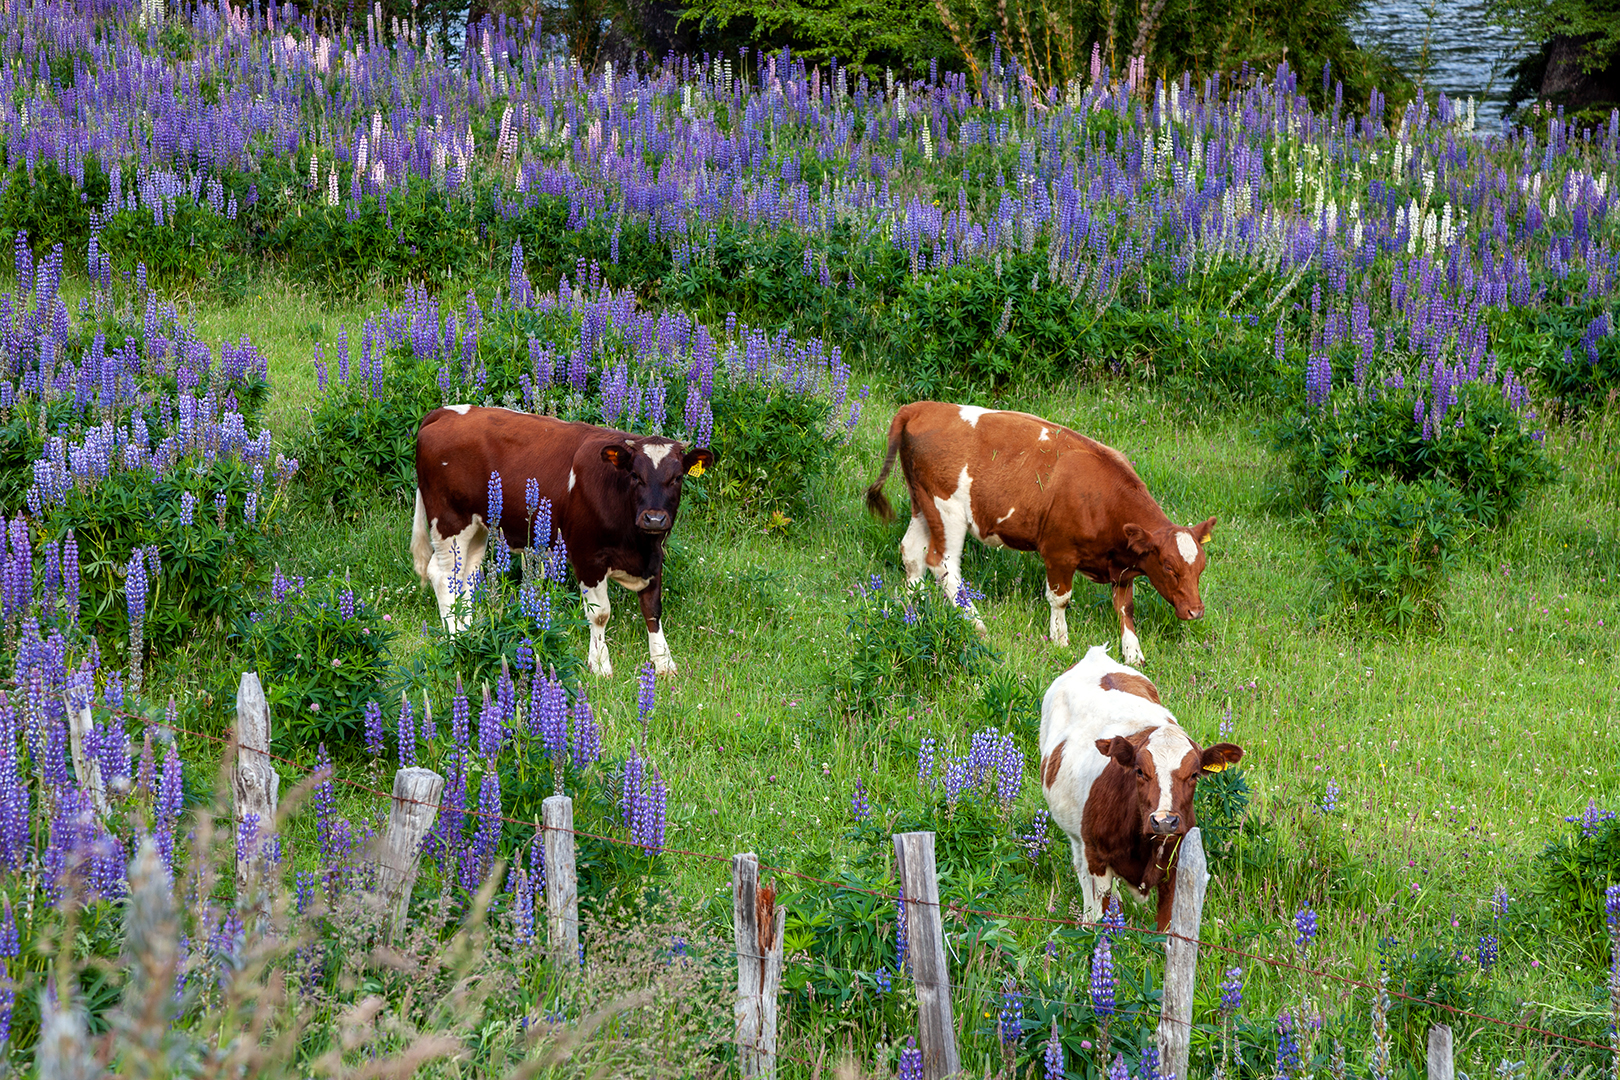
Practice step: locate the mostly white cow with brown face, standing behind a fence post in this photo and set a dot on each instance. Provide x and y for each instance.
(1120, 775)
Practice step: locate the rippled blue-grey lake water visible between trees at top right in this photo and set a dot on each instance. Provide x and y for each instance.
(1452, 43)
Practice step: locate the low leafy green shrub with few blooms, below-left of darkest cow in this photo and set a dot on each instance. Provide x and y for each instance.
(322, 652)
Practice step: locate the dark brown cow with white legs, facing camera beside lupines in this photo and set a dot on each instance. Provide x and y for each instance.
(613, 500)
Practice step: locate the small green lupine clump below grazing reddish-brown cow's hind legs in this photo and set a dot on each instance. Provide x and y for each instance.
(908, 640)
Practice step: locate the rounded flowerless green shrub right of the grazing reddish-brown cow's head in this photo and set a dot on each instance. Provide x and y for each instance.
(1392, 545)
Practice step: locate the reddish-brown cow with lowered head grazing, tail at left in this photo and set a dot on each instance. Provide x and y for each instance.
(1026, 483)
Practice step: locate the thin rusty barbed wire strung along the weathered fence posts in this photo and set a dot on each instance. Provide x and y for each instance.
(785, 872)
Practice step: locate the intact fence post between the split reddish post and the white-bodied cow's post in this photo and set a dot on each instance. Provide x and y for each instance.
(926, 950)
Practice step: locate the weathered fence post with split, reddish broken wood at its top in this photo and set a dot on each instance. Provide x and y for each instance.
(759, 925)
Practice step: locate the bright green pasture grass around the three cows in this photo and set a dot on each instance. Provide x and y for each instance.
(1457, 752)
